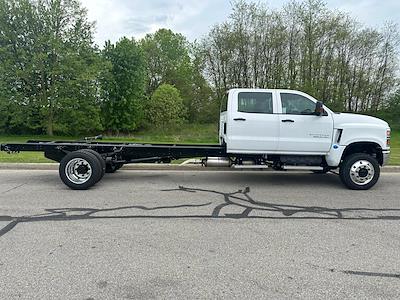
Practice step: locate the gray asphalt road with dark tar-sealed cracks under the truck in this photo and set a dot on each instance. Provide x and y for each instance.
(171, 234)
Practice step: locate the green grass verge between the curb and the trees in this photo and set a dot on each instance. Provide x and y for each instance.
(186, 134)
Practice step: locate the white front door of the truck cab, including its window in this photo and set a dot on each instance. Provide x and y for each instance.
(300, 129)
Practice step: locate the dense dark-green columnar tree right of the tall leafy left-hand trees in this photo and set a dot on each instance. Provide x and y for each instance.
(123, 86)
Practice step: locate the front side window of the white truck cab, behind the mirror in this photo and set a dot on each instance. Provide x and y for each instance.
(293, 104)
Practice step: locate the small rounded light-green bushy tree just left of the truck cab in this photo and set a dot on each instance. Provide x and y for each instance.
(165, 108)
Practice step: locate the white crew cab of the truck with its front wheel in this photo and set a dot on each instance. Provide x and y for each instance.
(291, 130)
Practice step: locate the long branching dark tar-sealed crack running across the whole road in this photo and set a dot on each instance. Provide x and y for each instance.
(240, 199)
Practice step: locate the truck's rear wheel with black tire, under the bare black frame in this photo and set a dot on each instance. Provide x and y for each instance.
(68, 172)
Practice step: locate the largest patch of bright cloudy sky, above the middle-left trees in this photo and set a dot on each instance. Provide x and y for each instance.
(136, 18)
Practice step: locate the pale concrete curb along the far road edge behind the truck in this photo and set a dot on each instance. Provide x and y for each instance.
(166, 167)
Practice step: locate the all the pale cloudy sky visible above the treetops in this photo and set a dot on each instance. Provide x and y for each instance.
(194, 18)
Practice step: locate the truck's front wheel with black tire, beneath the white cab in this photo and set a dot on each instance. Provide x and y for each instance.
(355, 171)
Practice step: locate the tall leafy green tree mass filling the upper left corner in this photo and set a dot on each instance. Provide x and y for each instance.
(49, 62)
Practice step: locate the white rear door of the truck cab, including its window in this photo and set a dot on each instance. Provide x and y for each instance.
(252, 125)
